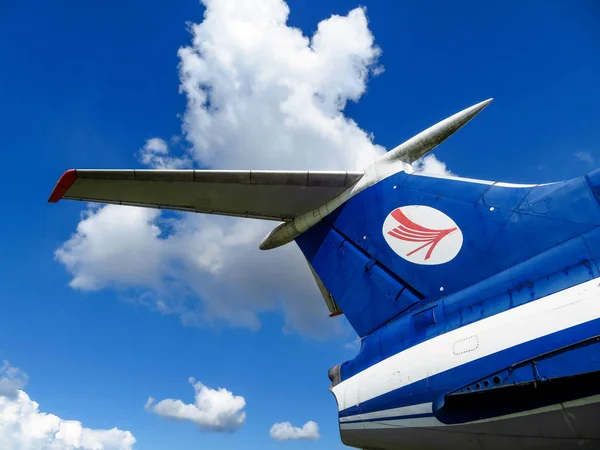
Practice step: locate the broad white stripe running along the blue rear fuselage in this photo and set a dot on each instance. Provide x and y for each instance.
(556, 312)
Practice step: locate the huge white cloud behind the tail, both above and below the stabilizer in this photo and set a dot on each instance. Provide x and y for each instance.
(260, 95)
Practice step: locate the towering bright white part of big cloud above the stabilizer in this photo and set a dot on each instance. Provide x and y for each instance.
(260, 94)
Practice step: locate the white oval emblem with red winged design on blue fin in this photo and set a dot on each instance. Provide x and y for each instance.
(422, 235)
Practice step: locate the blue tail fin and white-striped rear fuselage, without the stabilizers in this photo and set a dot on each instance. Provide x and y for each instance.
(498, 346)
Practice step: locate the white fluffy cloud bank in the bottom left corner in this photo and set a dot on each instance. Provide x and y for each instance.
(23, 426)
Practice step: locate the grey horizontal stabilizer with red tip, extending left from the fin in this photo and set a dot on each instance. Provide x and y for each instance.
(270, 195)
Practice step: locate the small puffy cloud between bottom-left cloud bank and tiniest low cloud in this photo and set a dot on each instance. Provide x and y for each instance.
(213, 409)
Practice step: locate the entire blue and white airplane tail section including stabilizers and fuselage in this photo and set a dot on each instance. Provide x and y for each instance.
(477, 303)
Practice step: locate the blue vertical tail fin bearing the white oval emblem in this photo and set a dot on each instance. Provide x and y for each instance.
(412, 239)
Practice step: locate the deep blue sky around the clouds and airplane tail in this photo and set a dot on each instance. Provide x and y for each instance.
(87, 84)
